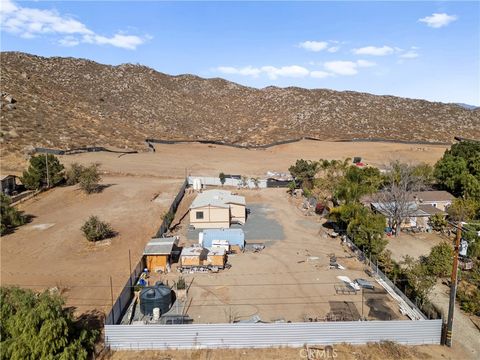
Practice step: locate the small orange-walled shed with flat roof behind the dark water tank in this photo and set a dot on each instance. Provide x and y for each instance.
(159, 253)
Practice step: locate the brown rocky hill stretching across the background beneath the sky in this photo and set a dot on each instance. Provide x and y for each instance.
(68, 102)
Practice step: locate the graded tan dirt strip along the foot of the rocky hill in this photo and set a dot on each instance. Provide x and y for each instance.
(202, 159)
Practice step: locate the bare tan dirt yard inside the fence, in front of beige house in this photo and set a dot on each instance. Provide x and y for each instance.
(288, 280)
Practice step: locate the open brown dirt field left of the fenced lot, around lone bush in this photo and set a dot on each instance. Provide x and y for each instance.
(51, 250)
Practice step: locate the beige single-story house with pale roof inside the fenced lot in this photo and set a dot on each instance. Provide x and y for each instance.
(217, 209)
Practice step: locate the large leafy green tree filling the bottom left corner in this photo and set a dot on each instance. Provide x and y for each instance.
(37, 326)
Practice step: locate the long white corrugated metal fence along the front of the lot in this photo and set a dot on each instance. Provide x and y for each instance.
(214, 336)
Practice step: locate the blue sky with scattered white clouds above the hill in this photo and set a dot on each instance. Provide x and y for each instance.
(428, 50)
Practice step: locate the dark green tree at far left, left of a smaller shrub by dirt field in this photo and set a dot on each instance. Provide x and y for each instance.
(35, 177)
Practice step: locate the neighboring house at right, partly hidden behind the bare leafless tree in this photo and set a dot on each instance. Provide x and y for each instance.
(421, 206)
